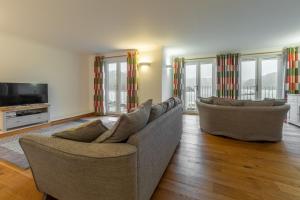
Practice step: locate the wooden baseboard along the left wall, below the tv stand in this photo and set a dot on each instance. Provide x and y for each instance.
(44, 125)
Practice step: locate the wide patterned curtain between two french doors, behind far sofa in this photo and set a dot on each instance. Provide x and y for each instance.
(228, 76)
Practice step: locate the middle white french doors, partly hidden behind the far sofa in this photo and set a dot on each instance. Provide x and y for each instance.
(200, 81)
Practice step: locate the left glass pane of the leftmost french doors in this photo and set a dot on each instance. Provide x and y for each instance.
(112, 87)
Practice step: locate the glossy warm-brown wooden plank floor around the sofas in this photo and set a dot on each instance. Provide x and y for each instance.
(206, 167)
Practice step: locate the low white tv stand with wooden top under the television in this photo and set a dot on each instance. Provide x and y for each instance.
(13, 117)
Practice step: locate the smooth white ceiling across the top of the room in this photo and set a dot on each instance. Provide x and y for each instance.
(192, 26)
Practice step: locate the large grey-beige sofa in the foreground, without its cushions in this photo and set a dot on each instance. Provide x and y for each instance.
(69, 170)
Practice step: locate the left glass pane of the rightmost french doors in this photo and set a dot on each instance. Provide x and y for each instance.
(248, 77)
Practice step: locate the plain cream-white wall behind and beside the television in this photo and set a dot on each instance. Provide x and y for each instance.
(65, 72)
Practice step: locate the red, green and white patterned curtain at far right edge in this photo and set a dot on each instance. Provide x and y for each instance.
(292, 78)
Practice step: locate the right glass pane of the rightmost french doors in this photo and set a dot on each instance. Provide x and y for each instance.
(269, 75)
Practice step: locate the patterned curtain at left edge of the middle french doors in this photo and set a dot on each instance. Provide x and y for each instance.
(178, 70)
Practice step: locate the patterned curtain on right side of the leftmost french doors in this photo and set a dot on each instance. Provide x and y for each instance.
(132, 80)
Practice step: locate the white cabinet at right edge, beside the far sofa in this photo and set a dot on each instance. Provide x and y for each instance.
(294, 113)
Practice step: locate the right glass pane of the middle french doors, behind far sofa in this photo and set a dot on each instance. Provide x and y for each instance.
(206, 79)
